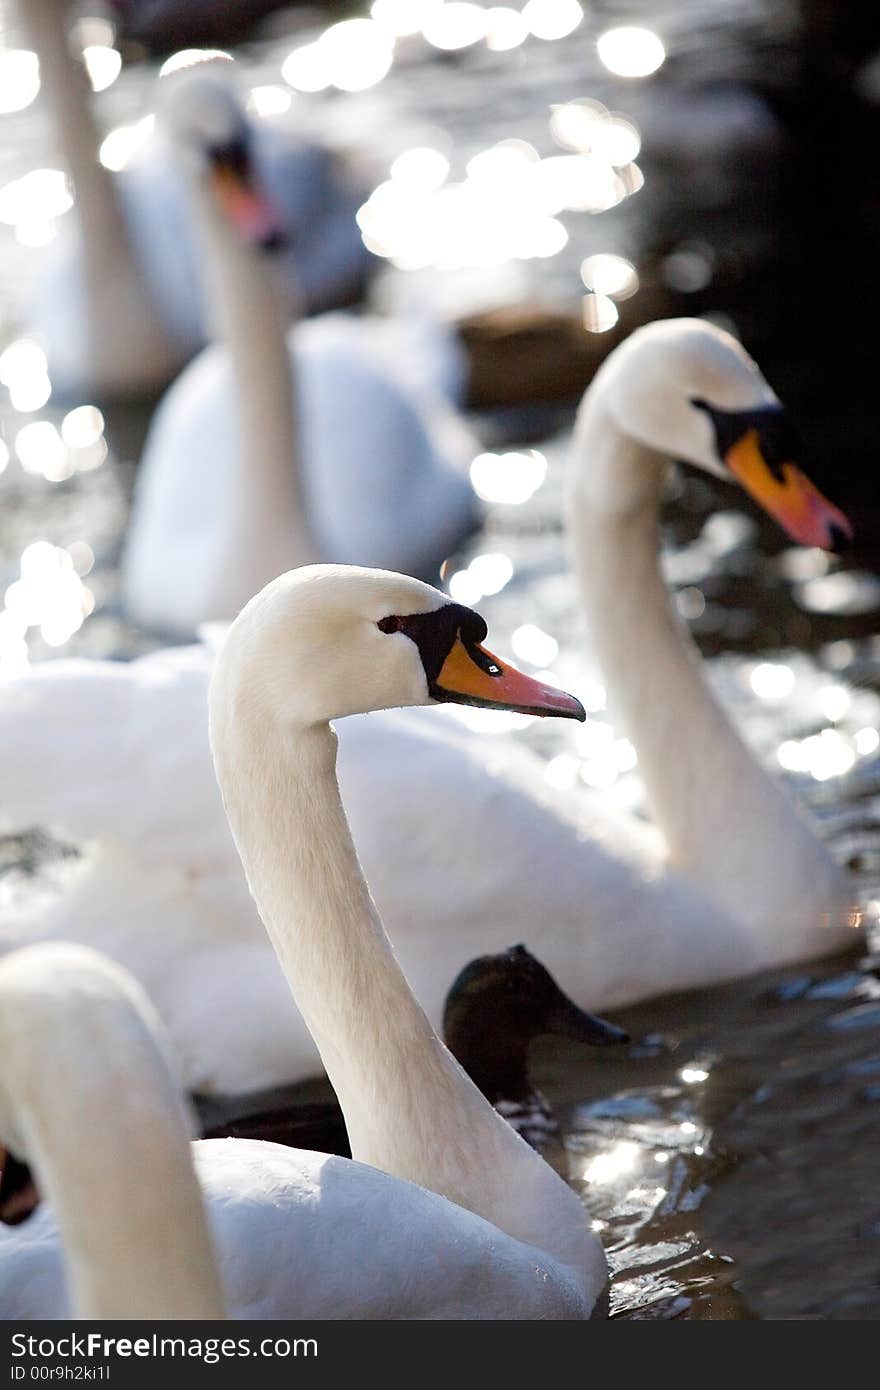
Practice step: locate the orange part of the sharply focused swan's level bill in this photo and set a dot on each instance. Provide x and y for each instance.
(472, 676)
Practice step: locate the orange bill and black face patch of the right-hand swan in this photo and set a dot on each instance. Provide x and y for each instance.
(760, 448)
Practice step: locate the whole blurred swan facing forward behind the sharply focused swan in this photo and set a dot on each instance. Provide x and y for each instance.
(272, 452)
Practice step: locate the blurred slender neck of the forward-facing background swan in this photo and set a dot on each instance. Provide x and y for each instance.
(248, 313)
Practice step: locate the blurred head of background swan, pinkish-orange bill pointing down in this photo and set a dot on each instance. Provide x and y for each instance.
(212, 137)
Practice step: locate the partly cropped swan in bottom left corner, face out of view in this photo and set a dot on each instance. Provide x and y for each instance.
(88, 1097)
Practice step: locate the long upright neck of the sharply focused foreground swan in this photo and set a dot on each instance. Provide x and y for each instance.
(408, 1106)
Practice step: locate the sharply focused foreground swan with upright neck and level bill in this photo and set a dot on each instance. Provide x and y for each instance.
(490, 1231)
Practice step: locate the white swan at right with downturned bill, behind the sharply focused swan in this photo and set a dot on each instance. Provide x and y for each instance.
(617, 910)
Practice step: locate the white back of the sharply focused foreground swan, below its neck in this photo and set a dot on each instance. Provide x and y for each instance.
(290, 1227)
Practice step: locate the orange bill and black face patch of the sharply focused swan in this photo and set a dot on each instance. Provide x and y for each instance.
(462, 672)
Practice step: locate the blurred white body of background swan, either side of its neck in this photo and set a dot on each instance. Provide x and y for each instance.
(377, 480)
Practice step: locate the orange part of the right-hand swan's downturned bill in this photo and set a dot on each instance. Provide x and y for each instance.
(788, 496)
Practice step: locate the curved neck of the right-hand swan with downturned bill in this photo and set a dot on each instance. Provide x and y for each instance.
(728, 824)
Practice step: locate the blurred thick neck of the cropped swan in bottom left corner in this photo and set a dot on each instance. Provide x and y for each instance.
(98, 1117)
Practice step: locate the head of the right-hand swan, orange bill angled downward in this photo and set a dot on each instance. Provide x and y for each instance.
(687, 390)
